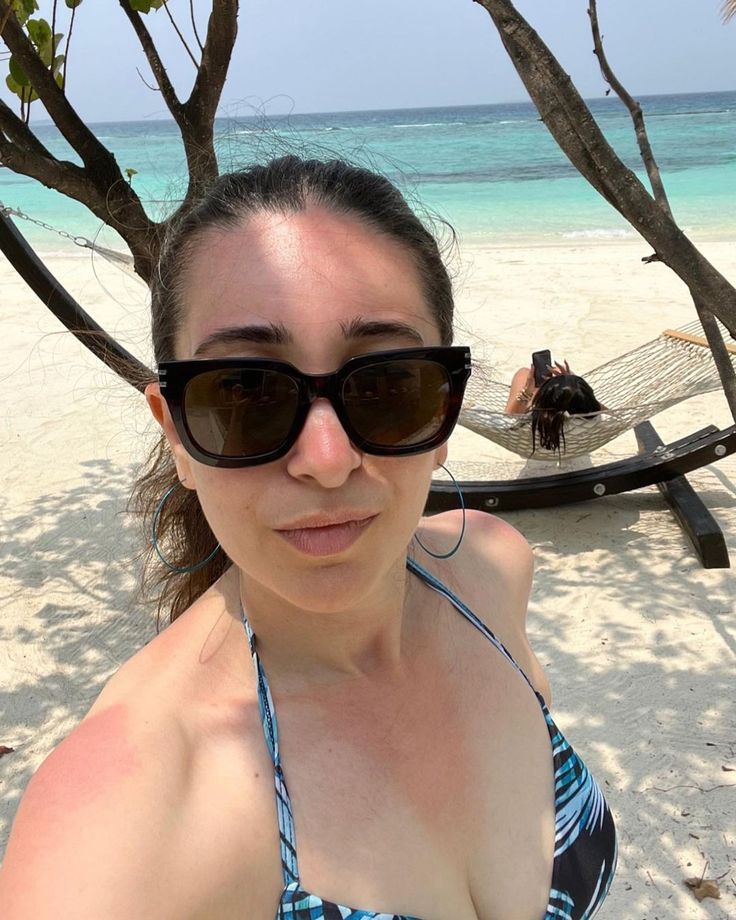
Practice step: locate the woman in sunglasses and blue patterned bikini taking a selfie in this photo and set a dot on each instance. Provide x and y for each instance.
(324, 714)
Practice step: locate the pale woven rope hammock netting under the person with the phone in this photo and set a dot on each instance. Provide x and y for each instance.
(673, 367)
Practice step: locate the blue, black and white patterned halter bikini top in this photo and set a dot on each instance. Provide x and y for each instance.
(585, 838)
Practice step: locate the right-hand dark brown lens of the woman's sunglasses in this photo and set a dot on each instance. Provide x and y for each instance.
(402, 403)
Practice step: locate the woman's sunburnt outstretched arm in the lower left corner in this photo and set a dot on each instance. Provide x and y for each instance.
(93, 832)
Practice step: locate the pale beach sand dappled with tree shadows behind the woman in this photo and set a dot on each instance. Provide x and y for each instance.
(638, 639)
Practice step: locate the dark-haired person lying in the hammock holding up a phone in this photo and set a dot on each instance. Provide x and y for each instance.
(562, 394)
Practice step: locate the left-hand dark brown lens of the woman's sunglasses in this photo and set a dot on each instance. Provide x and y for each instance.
(240, 413)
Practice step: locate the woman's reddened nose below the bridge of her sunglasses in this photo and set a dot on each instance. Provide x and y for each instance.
(323, 451)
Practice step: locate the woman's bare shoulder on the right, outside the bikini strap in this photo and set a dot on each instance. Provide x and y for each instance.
(493, 574)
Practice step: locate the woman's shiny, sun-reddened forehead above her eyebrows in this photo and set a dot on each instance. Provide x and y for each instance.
(313, 272)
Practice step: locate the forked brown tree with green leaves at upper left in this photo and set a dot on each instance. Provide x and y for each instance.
(37, 71)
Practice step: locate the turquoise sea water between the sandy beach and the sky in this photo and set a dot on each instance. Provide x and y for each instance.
(493, 171)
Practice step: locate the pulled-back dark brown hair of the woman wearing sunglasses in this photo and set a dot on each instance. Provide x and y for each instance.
(283, 186)
